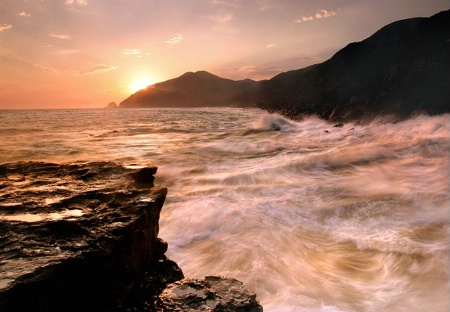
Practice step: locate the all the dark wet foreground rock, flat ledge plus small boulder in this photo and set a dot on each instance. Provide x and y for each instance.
(84, 237)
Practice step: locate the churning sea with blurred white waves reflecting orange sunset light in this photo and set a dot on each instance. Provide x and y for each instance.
(309, 216)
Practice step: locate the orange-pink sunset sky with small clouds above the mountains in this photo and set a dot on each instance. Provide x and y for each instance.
(88, 53)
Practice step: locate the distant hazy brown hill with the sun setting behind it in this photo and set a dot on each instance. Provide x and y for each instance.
(189, 90)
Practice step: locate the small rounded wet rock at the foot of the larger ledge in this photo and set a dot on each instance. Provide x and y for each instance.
(213, 293)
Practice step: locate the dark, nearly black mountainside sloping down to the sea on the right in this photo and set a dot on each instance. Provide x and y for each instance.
(402, 69)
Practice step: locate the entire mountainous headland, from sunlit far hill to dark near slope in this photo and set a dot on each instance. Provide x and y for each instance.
(402, 69)
